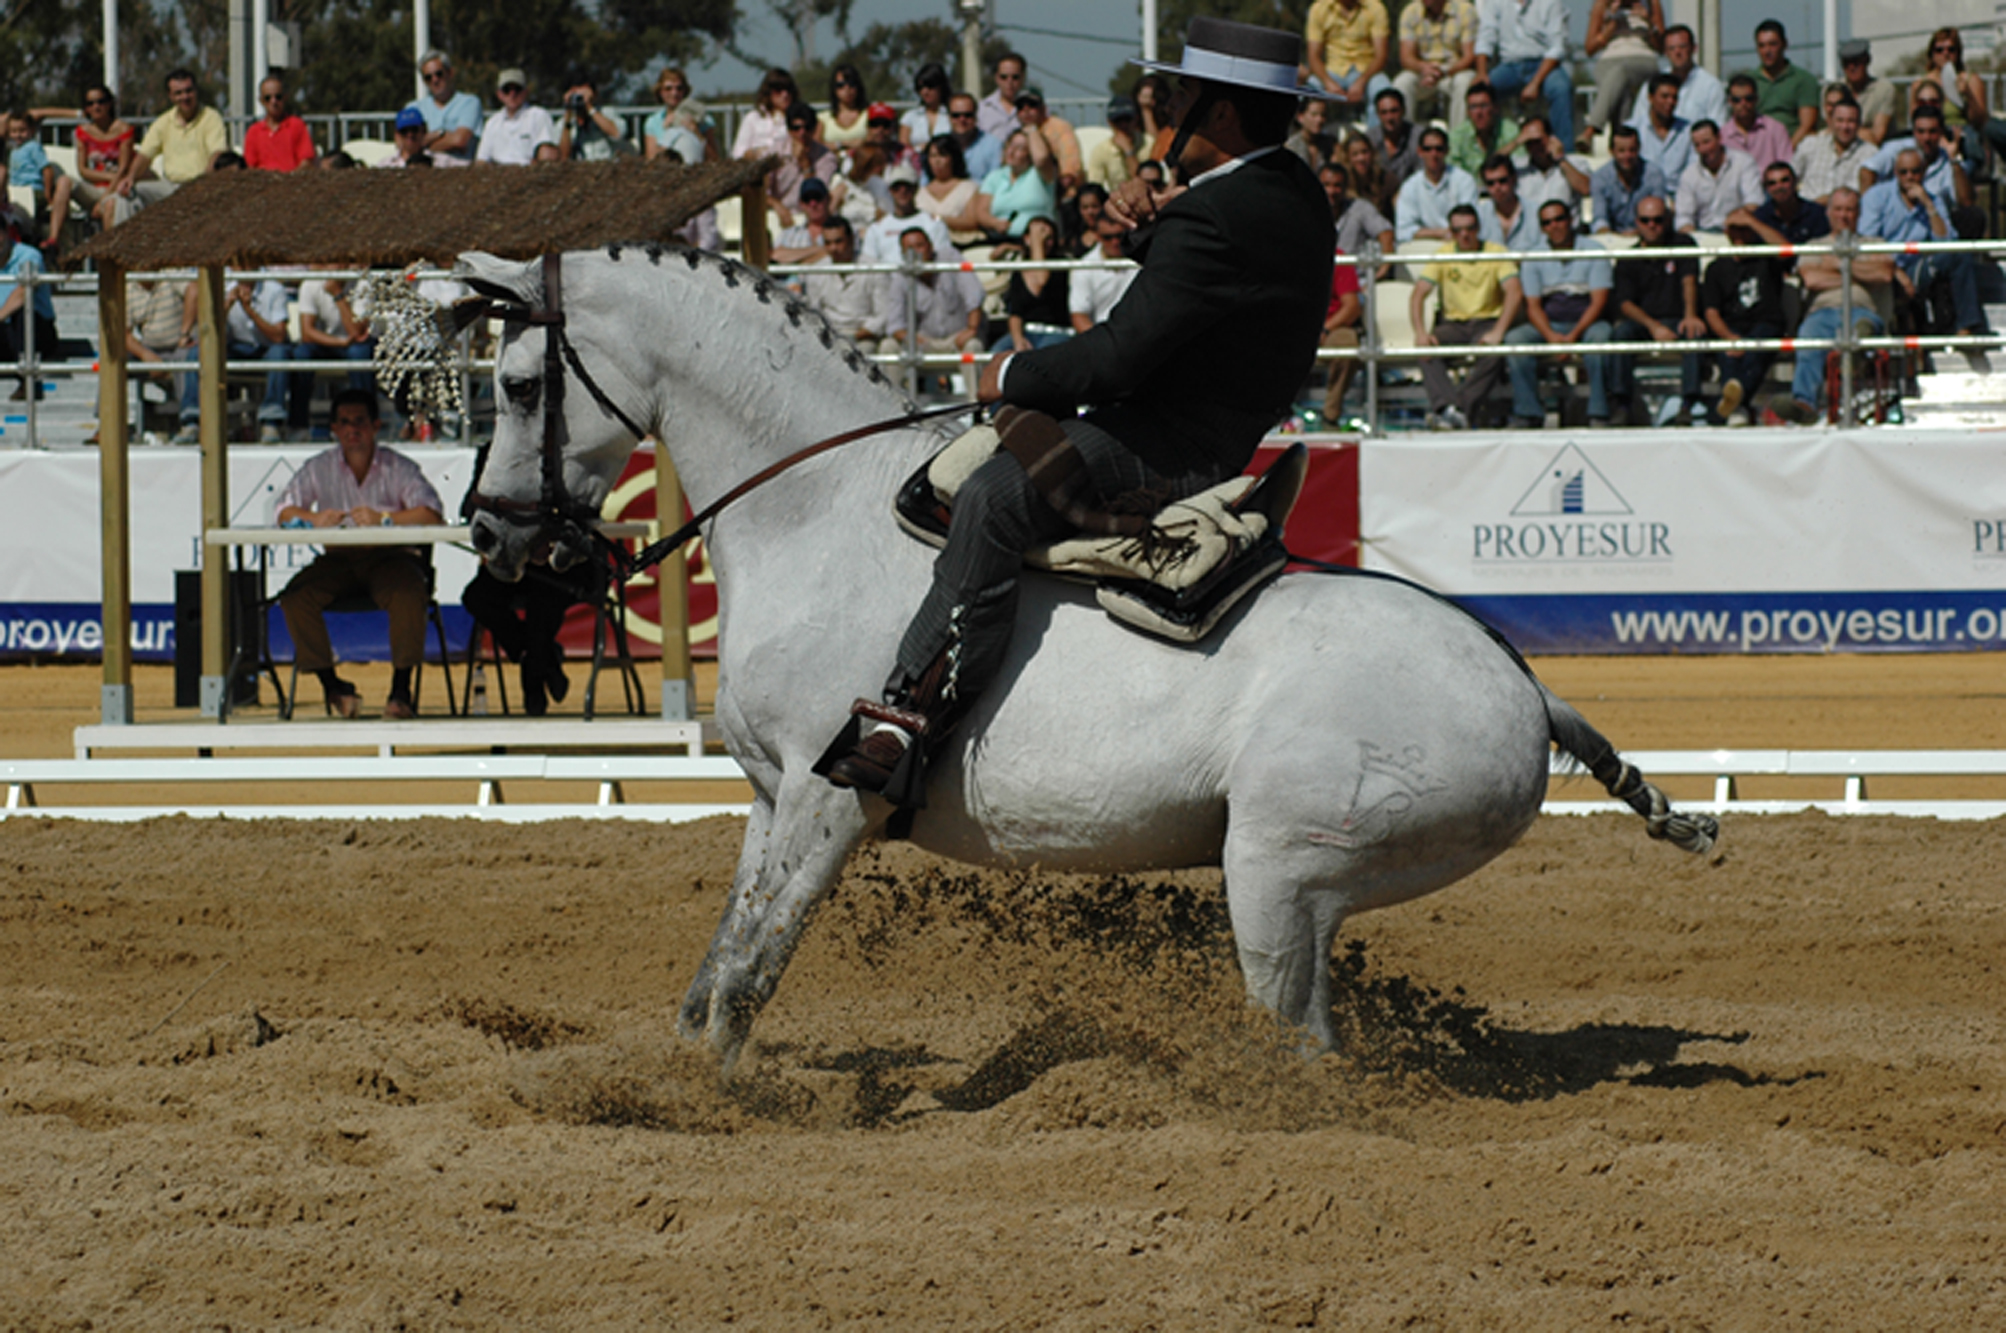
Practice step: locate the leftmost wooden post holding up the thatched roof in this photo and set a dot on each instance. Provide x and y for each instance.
(115, 502)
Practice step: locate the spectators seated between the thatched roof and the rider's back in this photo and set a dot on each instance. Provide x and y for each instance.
(962, 177)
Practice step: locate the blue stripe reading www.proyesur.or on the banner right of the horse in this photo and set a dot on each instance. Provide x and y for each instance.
(1750, 622)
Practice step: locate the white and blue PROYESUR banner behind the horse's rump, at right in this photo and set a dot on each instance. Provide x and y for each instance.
(1702, 542)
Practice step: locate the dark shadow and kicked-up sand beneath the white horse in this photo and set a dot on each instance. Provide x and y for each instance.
(1389, 1025)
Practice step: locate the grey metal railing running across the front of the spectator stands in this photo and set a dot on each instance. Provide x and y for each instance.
(916, 364)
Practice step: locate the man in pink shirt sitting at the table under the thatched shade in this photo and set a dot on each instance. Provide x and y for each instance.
(360, 486)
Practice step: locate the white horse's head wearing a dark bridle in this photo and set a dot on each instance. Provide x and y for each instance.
(563, 432)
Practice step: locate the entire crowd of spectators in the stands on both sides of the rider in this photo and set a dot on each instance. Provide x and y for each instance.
(1461, 119)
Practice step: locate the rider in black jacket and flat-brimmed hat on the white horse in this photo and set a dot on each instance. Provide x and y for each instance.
(1195, 366)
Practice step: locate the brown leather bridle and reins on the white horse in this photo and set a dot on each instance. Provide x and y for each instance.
(555, 510)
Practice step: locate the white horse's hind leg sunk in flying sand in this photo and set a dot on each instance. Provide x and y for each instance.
(1287, 917)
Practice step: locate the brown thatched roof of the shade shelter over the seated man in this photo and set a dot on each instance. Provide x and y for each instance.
(382, 219)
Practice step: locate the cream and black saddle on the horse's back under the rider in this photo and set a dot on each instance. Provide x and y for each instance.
(1195, 564)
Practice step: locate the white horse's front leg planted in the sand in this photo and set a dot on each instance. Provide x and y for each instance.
(809, 839)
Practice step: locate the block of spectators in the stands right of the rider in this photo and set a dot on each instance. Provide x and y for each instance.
(1758, 159)
